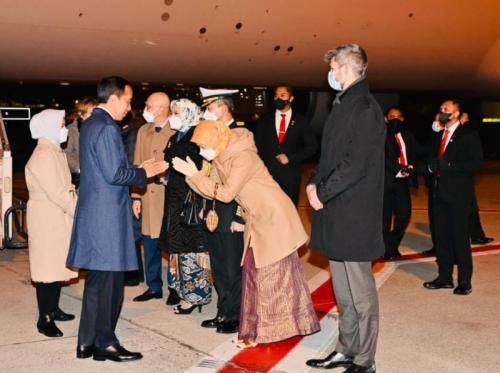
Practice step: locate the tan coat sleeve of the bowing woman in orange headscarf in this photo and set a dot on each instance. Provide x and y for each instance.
(237, 176)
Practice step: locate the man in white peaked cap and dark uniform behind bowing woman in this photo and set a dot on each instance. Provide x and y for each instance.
(226, 243)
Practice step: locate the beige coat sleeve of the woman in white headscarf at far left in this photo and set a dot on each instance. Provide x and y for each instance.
(46, 173)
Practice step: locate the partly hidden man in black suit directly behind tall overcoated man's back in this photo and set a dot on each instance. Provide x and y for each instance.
(401, 150)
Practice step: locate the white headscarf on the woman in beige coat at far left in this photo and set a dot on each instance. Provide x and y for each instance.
(47, 125)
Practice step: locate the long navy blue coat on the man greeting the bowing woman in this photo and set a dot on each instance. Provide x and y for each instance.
(102, 237)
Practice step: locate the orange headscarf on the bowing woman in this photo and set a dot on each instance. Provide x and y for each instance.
(212, 134)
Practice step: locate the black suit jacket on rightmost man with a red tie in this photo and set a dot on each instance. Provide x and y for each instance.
(463, 157)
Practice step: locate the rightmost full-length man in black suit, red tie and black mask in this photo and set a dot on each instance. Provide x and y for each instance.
(455, 156)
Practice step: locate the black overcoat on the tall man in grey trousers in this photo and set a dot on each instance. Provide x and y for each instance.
(350, 179)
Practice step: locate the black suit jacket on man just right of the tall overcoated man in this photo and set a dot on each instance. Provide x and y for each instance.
(392, 166)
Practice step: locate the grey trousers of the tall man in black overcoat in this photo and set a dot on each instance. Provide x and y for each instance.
(357, 300)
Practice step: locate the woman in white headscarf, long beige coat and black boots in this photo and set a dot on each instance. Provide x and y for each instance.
(51, 206)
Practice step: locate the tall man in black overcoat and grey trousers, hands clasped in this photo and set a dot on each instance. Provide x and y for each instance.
(347, 196)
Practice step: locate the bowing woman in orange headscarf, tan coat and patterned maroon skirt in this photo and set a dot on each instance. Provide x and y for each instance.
(276, 303)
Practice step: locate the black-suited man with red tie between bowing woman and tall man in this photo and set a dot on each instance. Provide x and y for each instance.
(284, 140)
